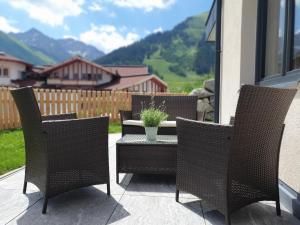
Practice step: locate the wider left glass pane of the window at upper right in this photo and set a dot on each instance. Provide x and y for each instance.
(275, 37)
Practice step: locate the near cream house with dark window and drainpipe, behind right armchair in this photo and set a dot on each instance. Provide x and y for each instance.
(258, 42)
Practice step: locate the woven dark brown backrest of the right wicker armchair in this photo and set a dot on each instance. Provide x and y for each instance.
(258, 128)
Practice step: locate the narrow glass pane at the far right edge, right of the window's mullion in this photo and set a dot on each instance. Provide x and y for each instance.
(296, 56)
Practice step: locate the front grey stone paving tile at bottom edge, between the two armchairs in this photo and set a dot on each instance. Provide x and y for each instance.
(135, 210)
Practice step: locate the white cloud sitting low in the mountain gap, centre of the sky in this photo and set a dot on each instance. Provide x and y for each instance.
(107, 37)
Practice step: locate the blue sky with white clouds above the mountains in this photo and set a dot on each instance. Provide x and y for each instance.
(105, 24)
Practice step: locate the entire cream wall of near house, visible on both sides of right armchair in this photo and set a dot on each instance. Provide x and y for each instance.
(238, 67)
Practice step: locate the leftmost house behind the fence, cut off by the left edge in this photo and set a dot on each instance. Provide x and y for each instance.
(12, 69)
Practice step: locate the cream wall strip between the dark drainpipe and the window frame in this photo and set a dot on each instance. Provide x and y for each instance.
(238, 52)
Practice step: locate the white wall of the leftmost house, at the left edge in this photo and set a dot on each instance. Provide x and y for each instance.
(14, 70)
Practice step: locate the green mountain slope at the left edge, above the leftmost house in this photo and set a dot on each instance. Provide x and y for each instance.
(16, 48)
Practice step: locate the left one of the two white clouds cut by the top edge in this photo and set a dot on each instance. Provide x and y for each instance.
(51, 12)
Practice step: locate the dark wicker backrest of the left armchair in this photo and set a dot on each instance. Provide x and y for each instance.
(30, 115)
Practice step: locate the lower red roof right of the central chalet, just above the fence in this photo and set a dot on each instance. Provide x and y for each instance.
(126, 82)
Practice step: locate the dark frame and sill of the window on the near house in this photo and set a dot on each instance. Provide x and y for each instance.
(288, 74)
